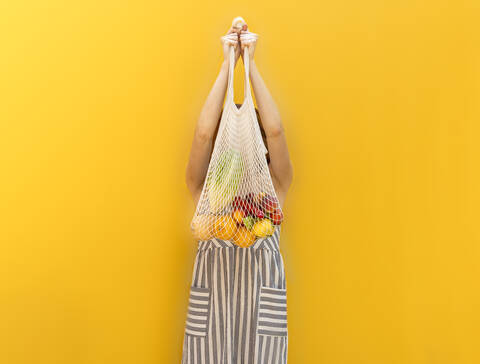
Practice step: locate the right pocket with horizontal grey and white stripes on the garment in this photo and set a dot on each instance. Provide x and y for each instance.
(272, 313)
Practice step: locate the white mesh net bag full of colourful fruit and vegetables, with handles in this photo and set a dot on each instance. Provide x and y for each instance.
(238, 201)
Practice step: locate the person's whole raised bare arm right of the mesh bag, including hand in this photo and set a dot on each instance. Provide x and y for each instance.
(280, 165)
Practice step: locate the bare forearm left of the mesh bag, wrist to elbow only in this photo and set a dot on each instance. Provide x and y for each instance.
(212, 108)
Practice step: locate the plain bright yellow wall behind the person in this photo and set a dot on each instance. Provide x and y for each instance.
(380, 101)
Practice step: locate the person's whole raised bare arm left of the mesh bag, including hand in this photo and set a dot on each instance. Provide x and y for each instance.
(206, 125)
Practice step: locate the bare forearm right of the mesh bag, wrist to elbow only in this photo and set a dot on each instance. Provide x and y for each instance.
(267, 108)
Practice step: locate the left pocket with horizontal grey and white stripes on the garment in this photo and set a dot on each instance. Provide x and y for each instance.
(198, 311)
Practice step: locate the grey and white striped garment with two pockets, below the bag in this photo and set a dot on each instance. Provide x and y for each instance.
(237, 309)
